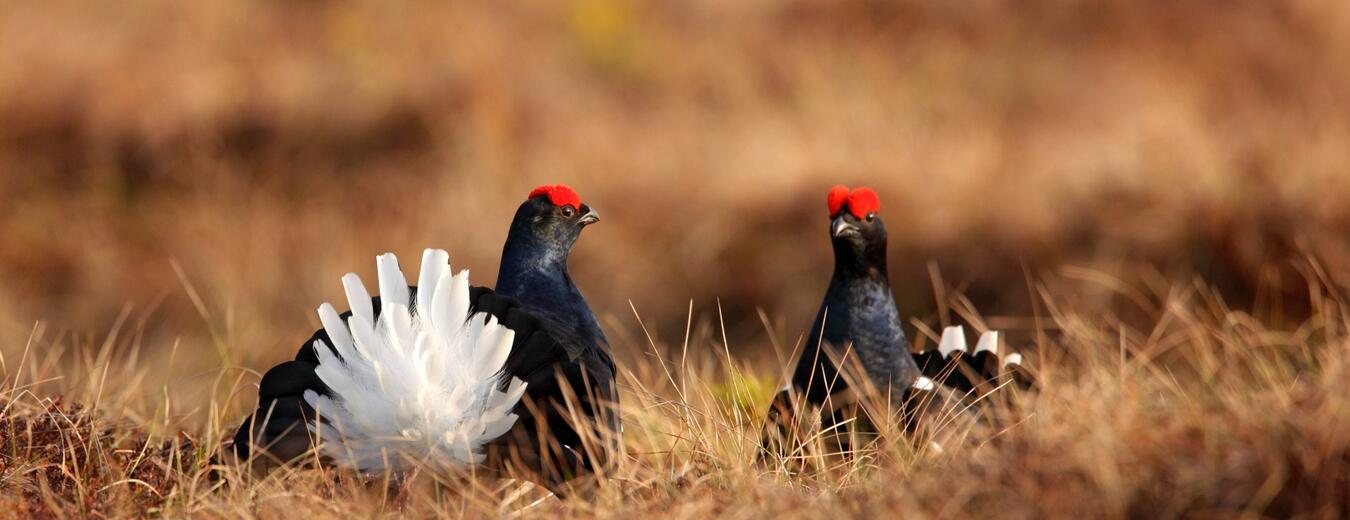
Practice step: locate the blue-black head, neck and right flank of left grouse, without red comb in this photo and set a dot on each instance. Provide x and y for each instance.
(581, 367)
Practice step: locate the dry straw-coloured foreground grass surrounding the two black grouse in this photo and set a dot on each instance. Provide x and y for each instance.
(1206, 413)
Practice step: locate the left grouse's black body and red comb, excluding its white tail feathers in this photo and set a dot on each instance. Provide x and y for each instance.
(568, 421)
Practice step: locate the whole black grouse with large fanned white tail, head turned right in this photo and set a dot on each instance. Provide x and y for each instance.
(400, 375)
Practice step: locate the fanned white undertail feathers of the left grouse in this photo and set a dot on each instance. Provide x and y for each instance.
(421, 384)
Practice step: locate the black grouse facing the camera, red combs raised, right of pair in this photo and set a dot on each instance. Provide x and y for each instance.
(861, 326)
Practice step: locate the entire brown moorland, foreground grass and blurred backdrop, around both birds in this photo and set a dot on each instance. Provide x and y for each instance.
(1150, 197)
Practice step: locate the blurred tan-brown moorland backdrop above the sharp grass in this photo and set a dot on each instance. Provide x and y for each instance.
(267, 148)
